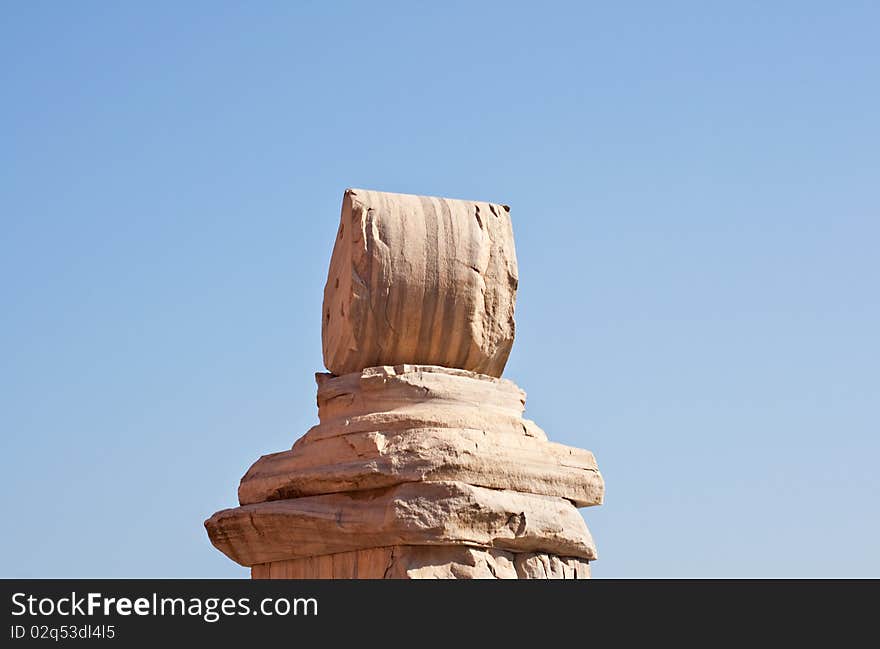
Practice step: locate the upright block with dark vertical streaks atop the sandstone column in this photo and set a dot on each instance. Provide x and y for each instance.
(419, 279)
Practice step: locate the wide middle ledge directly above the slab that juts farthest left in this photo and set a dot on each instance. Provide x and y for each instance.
(377, 459)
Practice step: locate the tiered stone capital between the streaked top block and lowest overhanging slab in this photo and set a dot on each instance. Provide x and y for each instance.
(485, 443)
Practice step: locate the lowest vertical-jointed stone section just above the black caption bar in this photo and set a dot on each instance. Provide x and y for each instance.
(426, 562)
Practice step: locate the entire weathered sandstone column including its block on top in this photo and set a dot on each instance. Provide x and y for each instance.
(422, 465)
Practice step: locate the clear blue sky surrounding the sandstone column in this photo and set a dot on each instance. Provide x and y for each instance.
(695, 192)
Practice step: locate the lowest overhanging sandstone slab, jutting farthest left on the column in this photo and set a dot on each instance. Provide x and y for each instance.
(428, 513)
